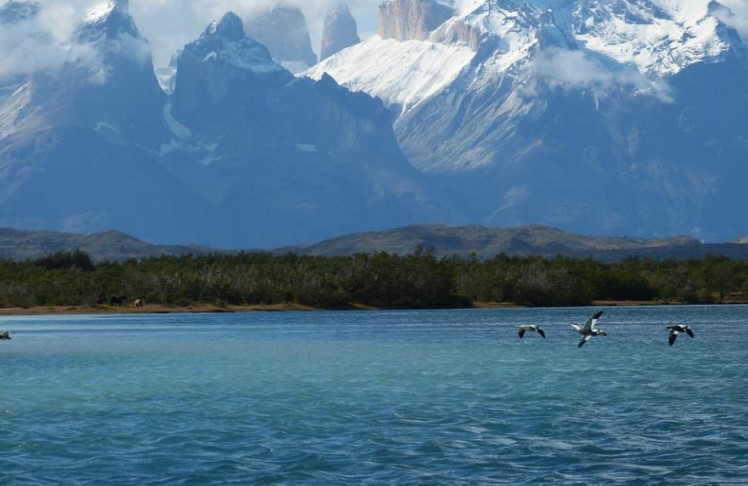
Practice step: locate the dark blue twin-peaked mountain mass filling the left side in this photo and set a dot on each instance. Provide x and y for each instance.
(242, 154)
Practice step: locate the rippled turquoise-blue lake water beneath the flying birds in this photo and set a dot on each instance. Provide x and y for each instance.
(411, 397)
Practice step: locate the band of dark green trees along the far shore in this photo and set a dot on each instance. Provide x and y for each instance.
(378, 280)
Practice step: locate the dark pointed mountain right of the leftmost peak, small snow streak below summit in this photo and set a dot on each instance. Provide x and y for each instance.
(297, 156)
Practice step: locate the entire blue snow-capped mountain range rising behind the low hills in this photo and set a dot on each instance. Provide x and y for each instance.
(615, 116)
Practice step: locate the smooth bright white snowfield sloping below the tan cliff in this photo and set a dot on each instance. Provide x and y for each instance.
(426, 68)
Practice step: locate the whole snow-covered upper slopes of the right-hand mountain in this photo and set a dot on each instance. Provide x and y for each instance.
(635, 45)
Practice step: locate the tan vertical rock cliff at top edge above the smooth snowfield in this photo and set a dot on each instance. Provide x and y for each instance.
(411, 19)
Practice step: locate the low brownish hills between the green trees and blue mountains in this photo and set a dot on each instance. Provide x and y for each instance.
(532, 240)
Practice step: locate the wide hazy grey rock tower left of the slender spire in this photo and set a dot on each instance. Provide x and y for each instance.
(285, 33)
